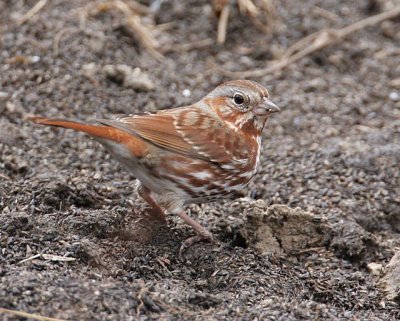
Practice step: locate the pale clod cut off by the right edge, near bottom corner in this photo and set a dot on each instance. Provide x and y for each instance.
(390, 282)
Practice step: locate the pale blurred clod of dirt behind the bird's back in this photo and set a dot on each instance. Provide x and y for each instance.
(128, 77)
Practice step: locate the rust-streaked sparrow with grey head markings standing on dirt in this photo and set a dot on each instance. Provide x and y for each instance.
(194, 154)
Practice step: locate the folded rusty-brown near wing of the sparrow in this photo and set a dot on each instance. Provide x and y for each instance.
(188, 131)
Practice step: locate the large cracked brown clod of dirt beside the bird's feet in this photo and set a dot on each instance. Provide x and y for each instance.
(280, 230)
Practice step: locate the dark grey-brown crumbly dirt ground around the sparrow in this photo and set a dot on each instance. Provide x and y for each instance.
(324, 205)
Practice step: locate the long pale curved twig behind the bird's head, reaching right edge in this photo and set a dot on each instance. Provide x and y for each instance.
(313, 43)
